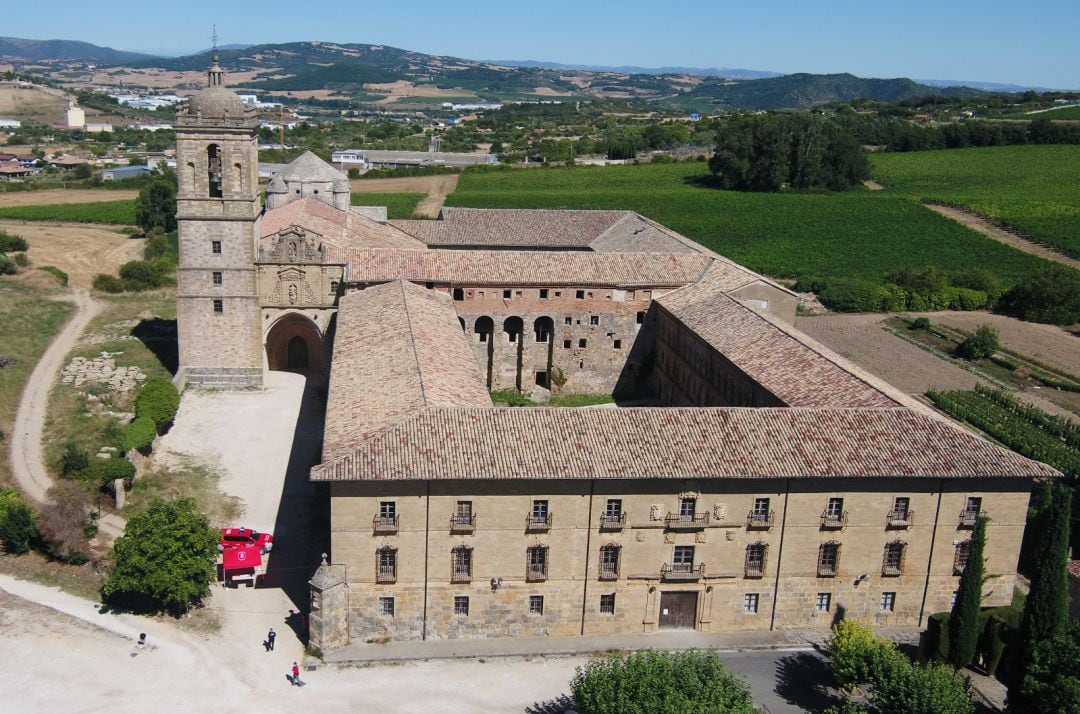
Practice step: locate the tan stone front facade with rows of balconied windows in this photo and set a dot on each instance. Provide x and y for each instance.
(788, 589)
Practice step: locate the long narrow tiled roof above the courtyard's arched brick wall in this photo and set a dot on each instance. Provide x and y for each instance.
(524, 267)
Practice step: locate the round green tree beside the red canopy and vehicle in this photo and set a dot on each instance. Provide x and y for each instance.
(165, 562)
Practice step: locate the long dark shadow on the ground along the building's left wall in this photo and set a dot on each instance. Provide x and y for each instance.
(303, 523)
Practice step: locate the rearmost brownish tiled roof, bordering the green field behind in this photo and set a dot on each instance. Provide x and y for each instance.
(512, 228)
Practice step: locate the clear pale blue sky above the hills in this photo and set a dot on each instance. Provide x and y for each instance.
(1033, 44)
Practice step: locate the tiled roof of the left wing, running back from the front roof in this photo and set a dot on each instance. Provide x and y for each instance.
(399, 348)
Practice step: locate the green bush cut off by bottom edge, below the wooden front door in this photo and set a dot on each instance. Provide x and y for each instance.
(650, 682)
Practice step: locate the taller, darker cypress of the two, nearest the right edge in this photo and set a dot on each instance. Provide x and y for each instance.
(1047, 609)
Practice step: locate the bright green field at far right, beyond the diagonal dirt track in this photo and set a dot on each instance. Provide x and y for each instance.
(1033, 190)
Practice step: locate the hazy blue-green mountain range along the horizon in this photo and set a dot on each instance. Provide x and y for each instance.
(350, 69)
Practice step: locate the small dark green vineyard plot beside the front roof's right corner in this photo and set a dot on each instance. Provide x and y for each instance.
(1024, 429)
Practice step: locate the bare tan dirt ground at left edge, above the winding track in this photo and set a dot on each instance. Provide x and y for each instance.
(80, 250)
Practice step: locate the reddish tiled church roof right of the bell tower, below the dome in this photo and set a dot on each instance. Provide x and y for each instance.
(345, 230)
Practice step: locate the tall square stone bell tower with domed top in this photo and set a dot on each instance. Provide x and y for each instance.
(218, 215)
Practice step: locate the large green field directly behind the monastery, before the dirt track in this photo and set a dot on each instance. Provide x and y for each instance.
(855, 235)
